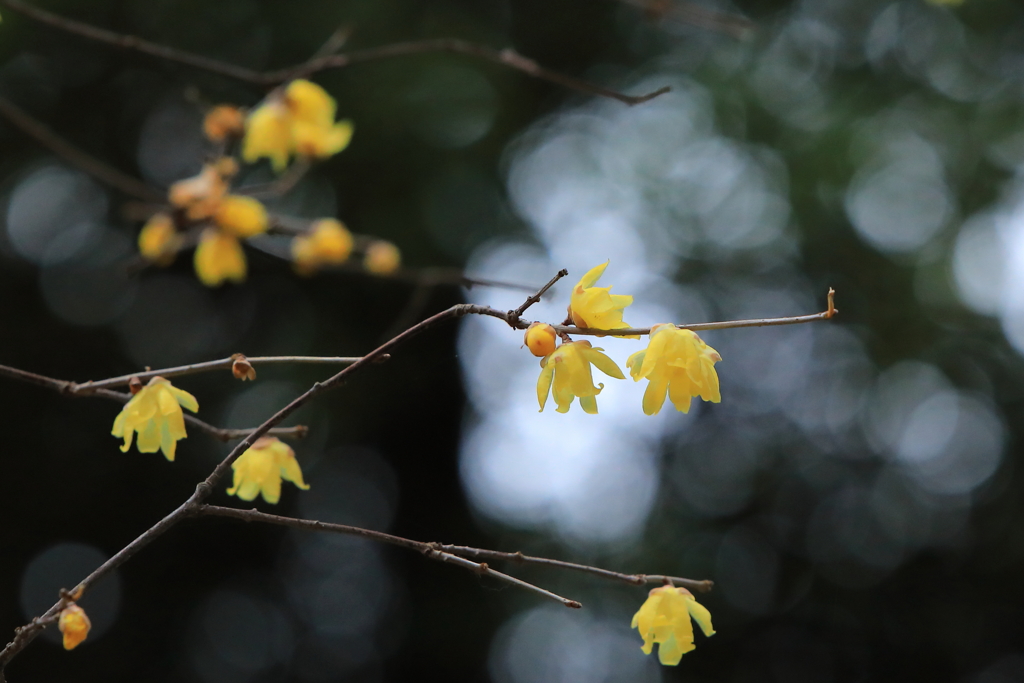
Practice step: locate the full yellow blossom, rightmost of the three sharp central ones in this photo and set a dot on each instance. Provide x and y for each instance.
(678, 363)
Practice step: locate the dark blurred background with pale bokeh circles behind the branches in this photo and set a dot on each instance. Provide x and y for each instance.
(856, 496)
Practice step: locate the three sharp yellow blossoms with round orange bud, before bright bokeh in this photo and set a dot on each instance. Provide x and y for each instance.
(677, 363)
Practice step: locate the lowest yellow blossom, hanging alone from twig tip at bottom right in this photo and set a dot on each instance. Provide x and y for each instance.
(665, 619)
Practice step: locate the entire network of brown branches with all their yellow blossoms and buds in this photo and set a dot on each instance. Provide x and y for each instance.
(294, 126)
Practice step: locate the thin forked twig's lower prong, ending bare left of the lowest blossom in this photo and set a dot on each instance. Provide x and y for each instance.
(429, 550)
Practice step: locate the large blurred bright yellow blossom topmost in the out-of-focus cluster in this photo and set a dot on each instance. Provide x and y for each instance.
(297, 120)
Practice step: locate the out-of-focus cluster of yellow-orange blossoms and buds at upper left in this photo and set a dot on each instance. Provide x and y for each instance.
(294, 120)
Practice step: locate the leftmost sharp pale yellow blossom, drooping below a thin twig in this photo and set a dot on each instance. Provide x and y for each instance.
(156, 414)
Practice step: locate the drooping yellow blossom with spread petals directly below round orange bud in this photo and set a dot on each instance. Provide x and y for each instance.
(567, 374)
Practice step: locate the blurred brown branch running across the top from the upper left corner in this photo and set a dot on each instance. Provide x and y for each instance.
(507, 58)
